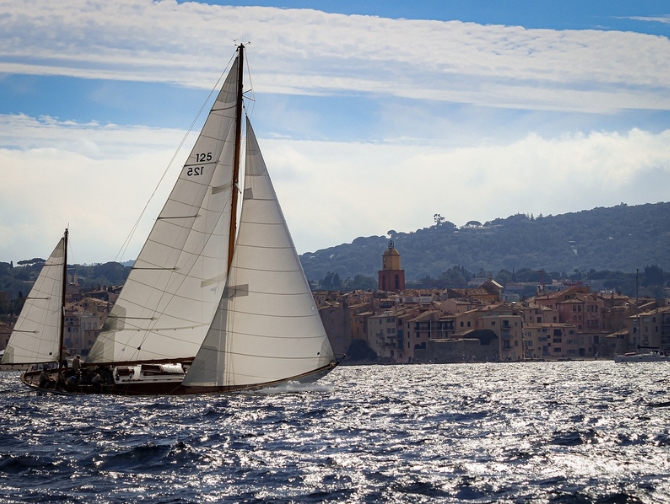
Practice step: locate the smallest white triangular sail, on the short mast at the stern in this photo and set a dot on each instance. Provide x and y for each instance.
(36, 334)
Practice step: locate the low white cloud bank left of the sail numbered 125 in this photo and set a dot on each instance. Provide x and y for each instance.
(94, 179)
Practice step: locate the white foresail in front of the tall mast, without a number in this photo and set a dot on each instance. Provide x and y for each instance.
(267, 327)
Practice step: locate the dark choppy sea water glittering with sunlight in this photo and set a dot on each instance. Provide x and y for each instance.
(528, 432)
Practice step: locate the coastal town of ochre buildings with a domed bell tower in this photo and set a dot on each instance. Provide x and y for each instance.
(480, 323)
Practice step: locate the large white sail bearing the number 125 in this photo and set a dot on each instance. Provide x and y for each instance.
(170, 296)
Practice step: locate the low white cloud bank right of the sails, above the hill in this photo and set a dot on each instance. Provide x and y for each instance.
(362, 189)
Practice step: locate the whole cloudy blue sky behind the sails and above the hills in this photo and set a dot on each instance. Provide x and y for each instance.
(371, 115)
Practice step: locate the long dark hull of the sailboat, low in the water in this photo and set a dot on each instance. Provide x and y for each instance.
(32, 379)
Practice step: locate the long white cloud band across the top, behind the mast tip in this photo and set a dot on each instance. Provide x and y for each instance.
(307, 51)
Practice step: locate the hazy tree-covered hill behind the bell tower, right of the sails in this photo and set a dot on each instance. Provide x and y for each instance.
(622, 238)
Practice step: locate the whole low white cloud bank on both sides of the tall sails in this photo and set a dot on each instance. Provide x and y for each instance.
(331, 192)
